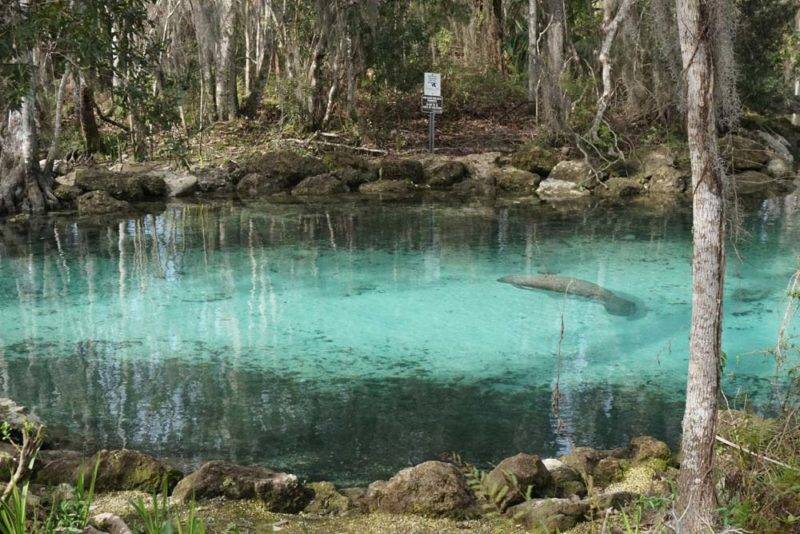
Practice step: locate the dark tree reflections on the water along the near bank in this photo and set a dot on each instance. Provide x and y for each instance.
(348, 429)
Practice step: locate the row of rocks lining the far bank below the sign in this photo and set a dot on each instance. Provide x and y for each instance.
(761, 164)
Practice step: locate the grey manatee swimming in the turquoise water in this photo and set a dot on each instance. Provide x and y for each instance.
(613, 303)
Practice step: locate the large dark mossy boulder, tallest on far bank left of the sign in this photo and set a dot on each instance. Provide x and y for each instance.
(276, 172)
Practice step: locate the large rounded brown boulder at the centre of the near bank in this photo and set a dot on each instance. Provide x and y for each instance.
(433, 489)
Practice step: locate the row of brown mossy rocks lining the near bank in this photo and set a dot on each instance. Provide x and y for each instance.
(552, 494)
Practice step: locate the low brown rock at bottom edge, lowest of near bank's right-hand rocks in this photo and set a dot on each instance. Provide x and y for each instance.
(549, 515)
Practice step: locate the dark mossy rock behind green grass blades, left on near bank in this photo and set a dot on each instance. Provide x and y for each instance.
(126, 470)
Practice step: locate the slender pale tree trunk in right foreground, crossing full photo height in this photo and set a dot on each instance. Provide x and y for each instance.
(696, 497)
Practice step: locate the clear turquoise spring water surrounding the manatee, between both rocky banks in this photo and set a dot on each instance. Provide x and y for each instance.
(345, 342)
